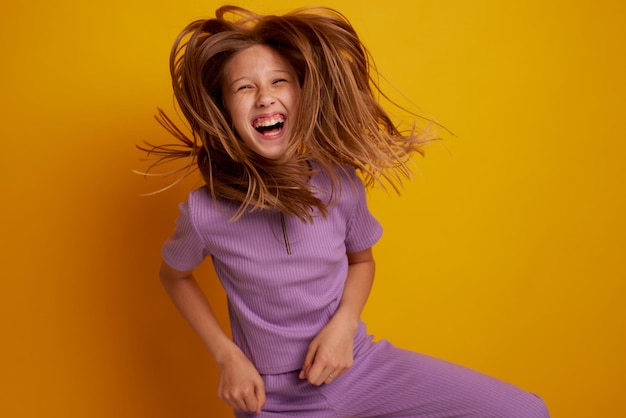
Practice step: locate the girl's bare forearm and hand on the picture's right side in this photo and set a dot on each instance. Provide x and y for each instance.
(331, 352)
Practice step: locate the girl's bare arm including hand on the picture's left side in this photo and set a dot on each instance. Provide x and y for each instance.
(240, 384)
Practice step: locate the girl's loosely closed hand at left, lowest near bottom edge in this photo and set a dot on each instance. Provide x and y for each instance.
(240, 384)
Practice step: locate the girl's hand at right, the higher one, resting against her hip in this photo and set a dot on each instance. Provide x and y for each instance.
(330, 353)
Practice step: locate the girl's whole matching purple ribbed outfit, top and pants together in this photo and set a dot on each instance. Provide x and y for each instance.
(284, 279)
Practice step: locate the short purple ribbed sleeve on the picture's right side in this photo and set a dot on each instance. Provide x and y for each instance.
(363, 229)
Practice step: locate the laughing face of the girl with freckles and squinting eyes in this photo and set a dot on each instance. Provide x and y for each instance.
(261, 94)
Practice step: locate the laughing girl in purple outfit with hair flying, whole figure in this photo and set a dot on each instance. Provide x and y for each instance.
(283, 113)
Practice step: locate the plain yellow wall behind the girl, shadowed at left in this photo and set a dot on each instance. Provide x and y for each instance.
(504, 254)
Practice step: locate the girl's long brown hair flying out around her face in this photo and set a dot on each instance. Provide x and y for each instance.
(341, 122)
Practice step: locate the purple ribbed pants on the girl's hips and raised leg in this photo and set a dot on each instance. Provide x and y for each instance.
(389, 382)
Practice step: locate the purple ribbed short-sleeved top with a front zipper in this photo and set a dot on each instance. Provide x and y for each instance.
(277, 301)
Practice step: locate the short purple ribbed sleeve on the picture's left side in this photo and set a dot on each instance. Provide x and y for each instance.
(184, 250)
